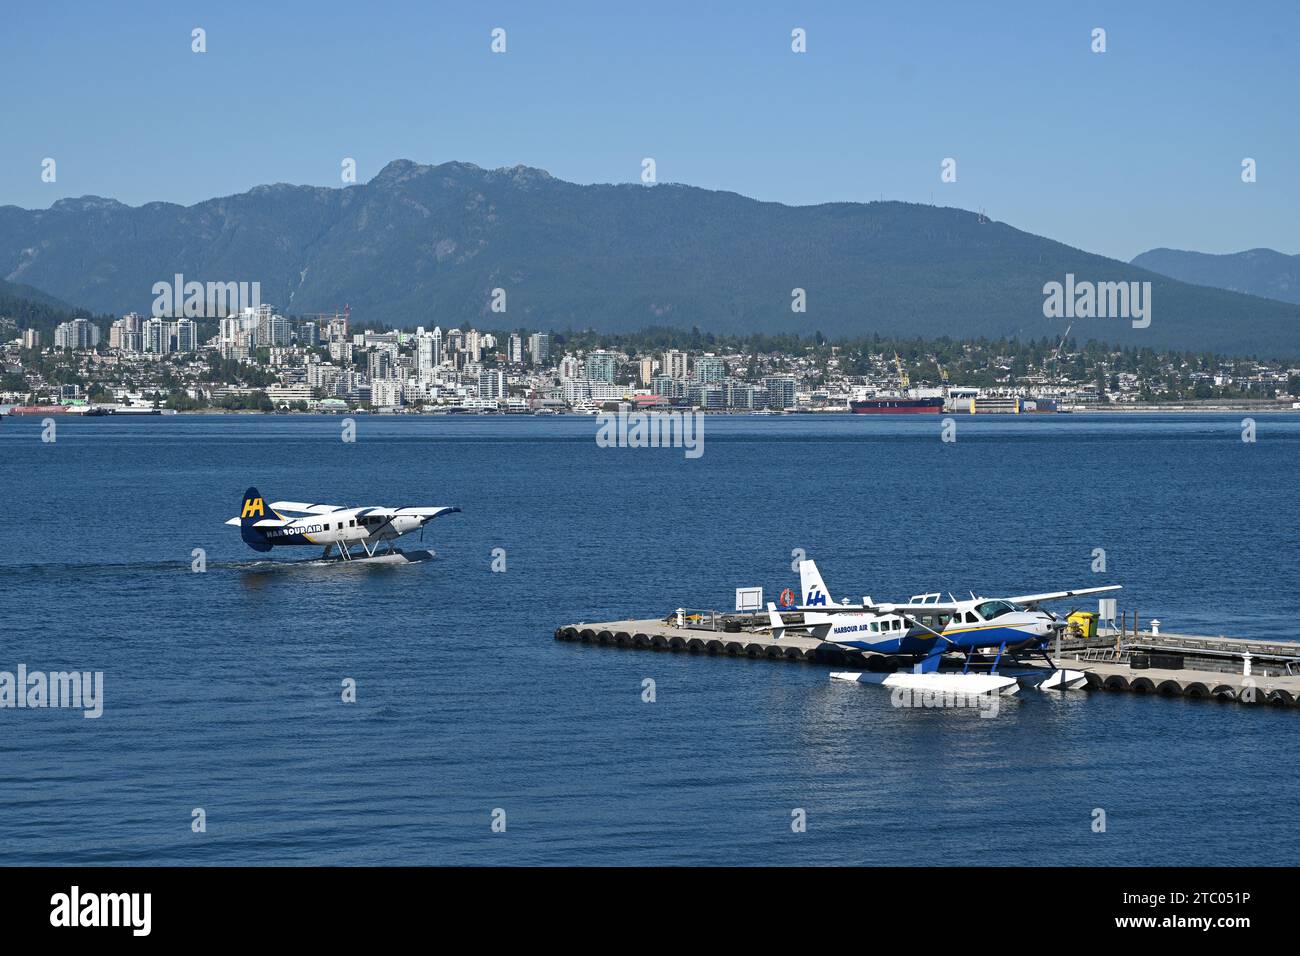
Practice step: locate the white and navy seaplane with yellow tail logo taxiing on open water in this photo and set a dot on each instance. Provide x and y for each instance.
(265, 526)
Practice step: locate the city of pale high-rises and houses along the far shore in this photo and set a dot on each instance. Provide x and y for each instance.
(263, 361)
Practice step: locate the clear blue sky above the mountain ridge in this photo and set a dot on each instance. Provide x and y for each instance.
(1115, 153)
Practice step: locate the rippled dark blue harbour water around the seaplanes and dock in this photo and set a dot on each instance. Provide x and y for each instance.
(223, 690)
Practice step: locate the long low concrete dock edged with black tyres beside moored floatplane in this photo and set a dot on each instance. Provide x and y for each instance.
(1212, 668)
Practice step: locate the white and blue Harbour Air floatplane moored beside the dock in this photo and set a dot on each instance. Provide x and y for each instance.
(926, 629)
